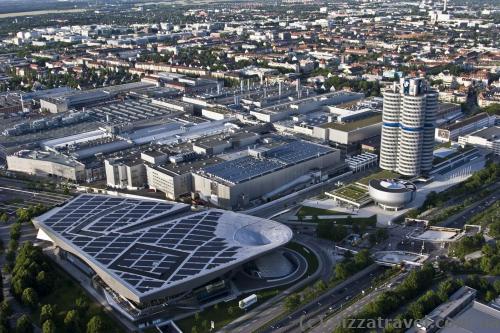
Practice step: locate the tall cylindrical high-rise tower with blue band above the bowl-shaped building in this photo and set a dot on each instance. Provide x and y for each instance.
(408, 127)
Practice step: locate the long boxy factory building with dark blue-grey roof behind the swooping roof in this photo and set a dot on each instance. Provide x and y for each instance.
(265, 172)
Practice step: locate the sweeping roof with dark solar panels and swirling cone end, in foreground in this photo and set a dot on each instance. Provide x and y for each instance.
(151, 245)
